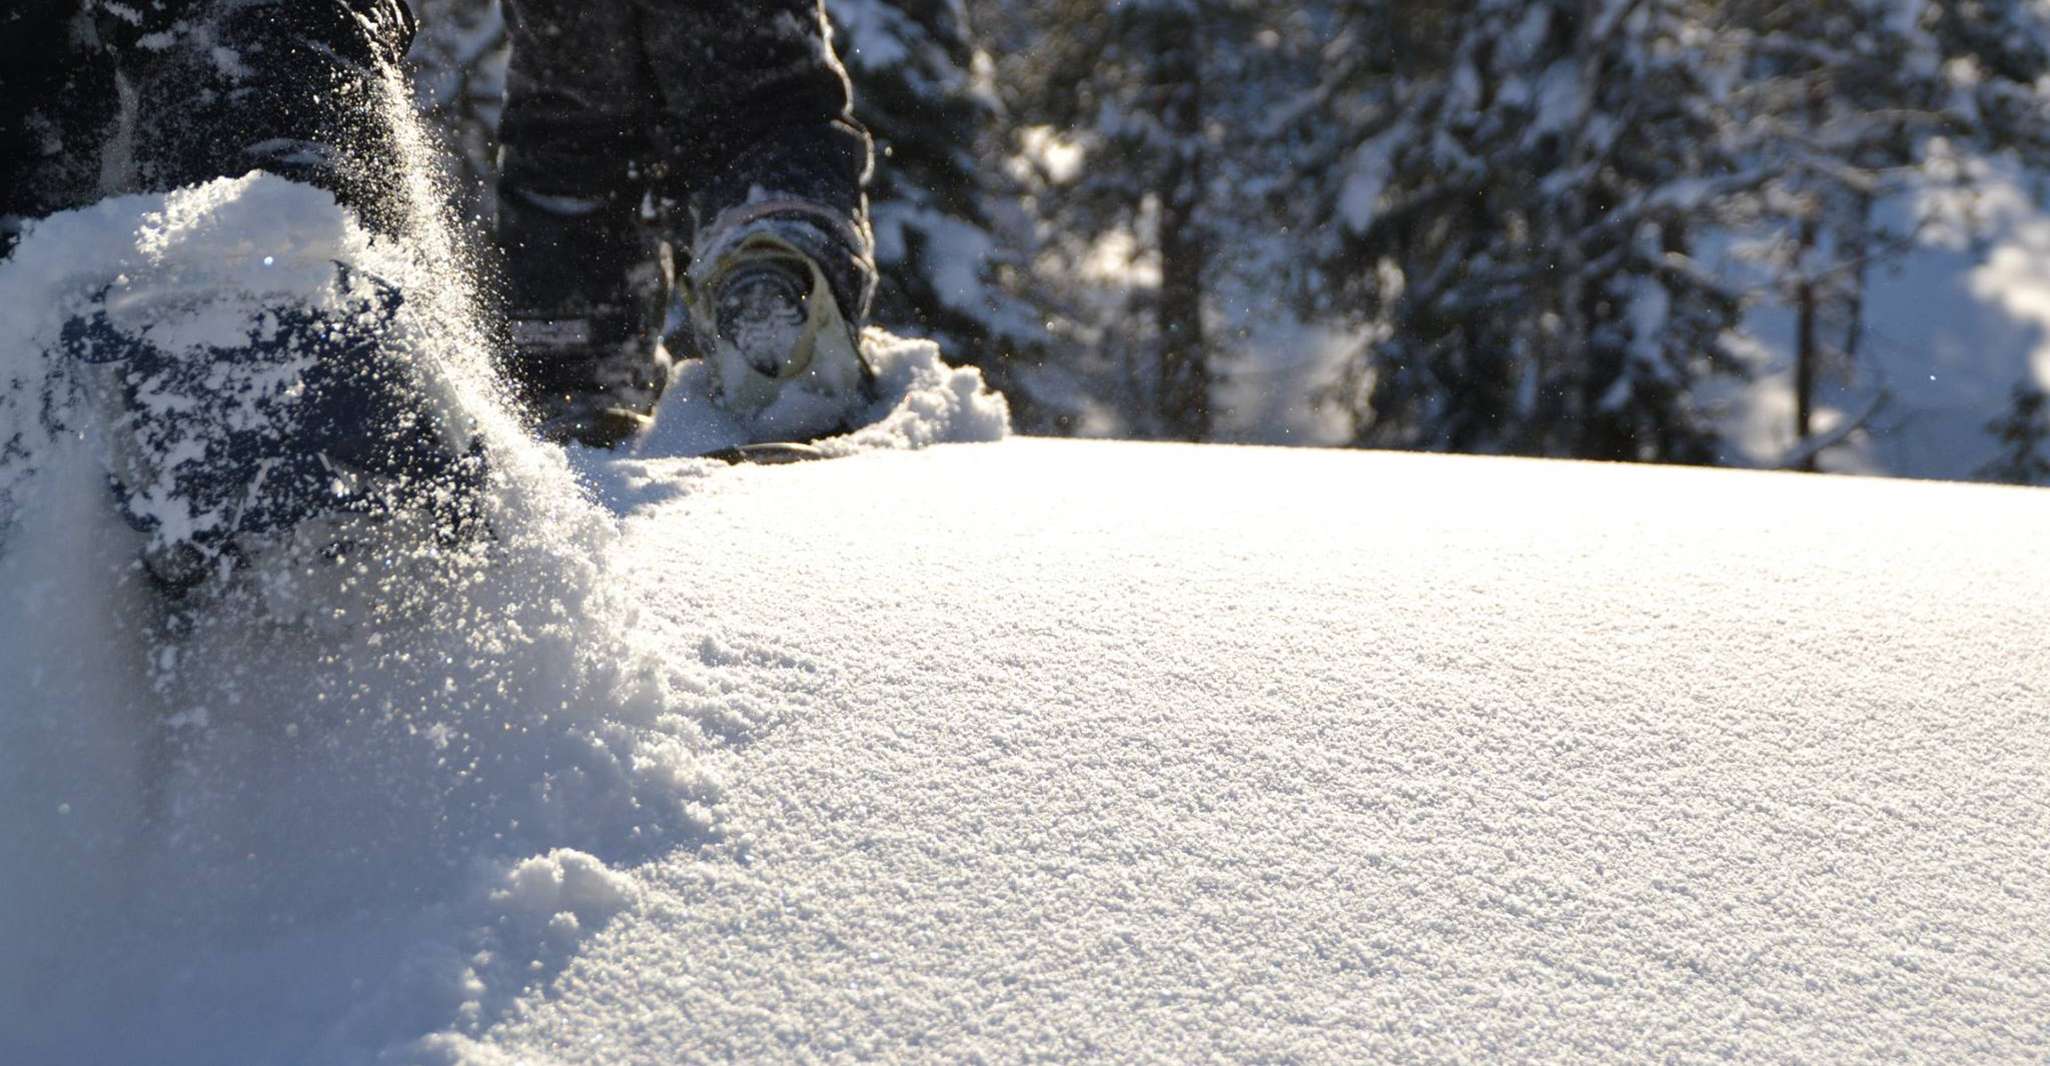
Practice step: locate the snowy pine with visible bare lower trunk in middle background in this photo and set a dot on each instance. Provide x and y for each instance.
(1161, 104)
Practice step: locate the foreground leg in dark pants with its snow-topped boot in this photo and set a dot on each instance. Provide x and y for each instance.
(243, 380)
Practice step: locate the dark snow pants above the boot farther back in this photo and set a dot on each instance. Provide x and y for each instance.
(721, 114)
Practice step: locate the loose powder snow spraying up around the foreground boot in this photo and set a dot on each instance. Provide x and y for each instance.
(309, 811)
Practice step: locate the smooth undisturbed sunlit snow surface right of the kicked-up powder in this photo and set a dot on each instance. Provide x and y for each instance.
(1139, 751)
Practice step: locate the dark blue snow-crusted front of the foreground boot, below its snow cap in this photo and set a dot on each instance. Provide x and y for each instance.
(235, 419)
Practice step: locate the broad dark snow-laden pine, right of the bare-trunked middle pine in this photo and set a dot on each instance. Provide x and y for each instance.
(1518, 222)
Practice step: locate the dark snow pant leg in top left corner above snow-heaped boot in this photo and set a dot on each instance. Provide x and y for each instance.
(101, 99)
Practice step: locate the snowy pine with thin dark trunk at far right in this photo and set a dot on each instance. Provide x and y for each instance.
(1842, 101)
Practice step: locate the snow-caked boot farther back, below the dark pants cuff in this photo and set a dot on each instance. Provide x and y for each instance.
(784, 360)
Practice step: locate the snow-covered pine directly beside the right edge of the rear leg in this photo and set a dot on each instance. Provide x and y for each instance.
(921, 89)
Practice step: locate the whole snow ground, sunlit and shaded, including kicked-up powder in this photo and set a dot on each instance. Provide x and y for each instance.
(1032, 749)
